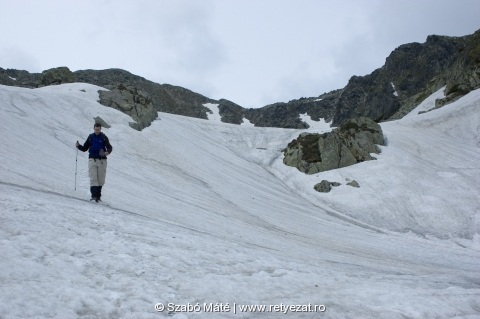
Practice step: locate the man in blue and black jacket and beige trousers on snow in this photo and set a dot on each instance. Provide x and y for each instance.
(99, 148)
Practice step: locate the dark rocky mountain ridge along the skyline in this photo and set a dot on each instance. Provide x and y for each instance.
(411, 73)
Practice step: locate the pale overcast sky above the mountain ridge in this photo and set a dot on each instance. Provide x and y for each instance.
(252, 52)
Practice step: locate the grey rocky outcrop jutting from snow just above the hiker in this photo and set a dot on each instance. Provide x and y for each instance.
(131, 101)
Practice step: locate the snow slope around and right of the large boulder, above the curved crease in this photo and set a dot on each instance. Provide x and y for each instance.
(426, 180)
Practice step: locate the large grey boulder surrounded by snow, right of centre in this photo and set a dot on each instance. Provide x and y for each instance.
(349, 144)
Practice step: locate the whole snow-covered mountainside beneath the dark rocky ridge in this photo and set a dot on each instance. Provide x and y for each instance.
(203, 212)
